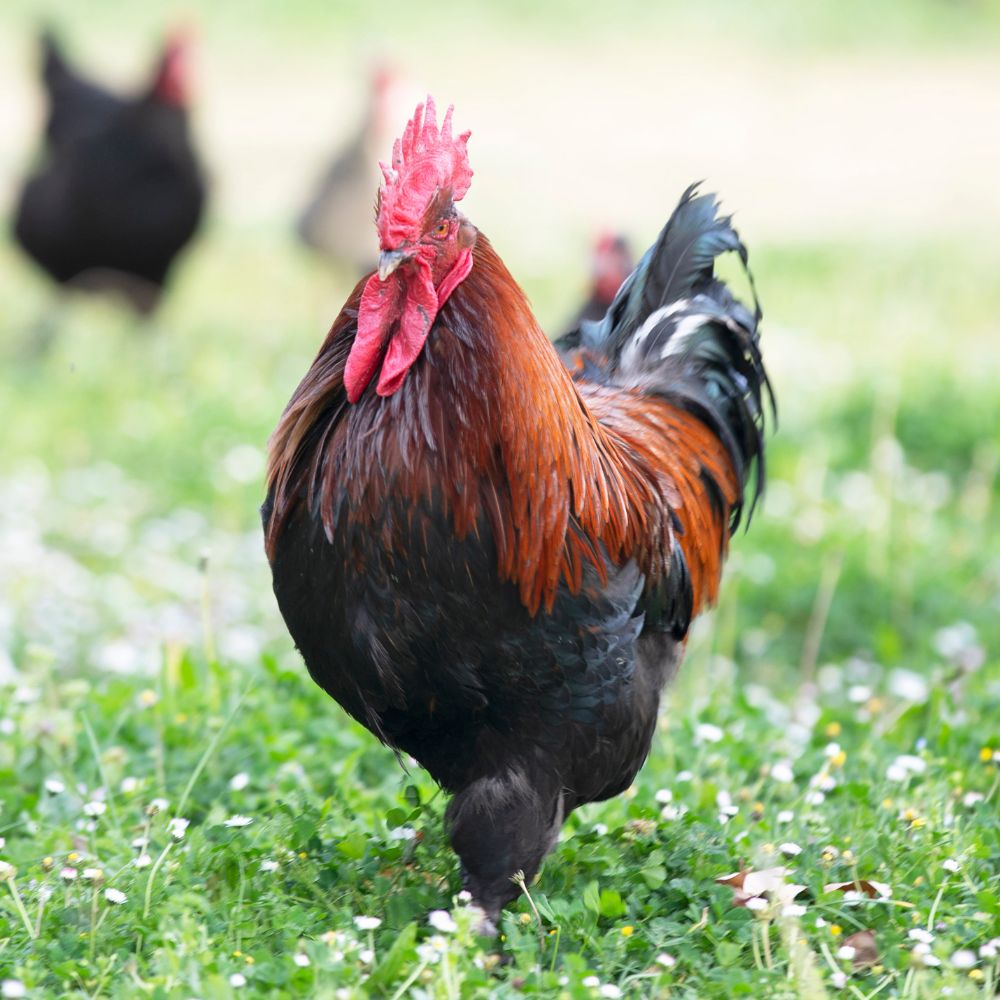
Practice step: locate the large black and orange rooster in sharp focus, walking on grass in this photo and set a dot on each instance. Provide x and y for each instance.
(489, 563)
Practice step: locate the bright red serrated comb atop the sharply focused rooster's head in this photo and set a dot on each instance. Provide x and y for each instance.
(425, 160)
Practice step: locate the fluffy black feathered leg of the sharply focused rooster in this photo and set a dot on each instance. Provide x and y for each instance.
(501, 825)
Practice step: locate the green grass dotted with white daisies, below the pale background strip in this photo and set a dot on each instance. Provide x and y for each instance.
(145, 660)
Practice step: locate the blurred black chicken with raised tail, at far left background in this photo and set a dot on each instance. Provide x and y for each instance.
(119, 191)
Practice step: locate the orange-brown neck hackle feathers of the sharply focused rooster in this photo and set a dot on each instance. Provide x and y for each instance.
(494, 427)
